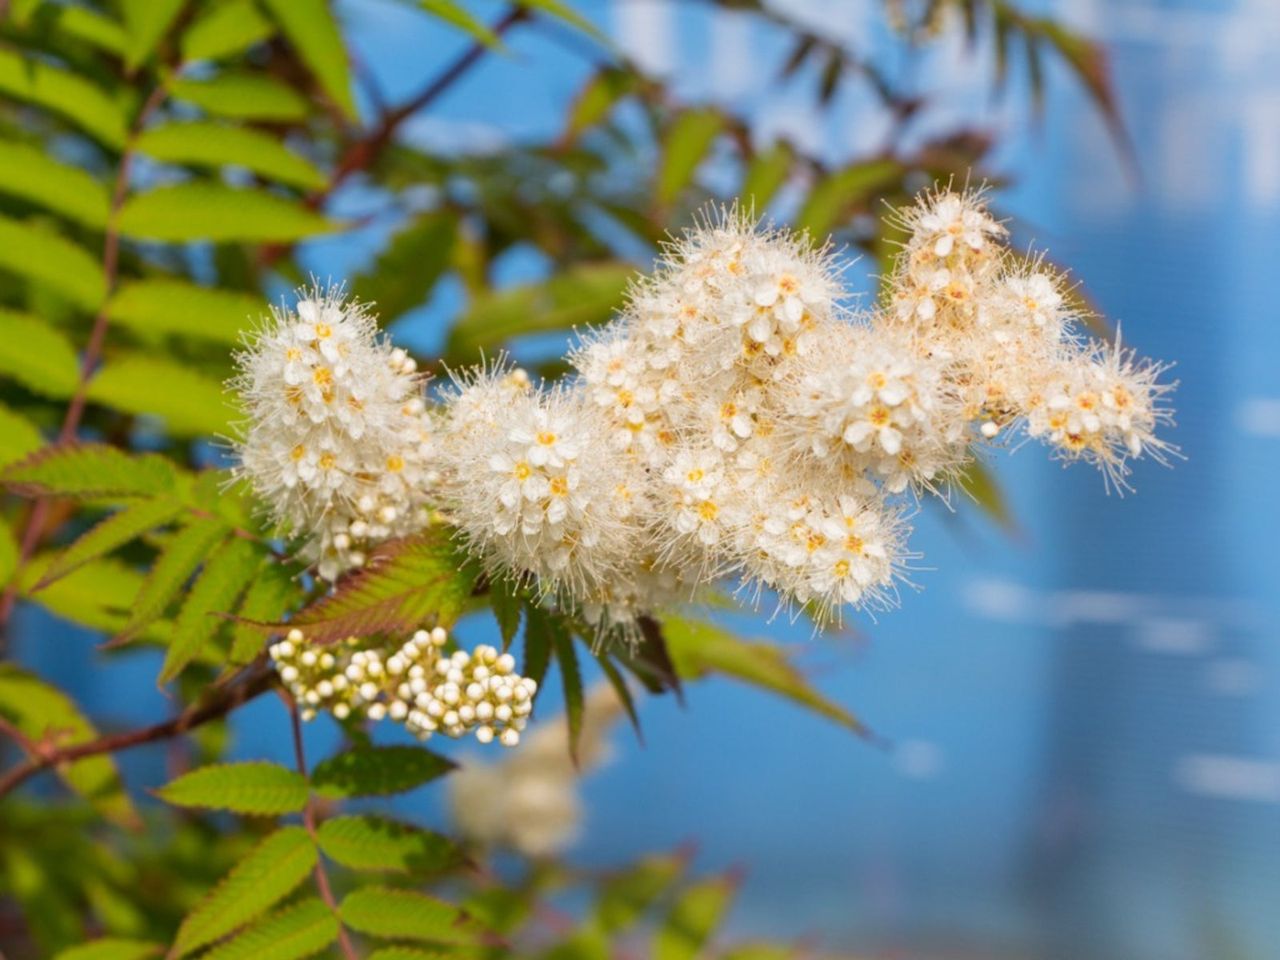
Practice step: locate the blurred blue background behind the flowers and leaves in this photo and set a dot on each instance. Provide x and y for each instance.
(1087, 757)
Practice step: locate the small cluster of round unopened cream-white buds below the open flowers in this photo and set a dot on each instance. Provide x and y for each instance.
(418, 685)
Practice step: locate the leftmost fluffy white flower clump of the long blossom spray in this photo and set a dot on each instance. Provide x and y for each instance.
(339, 440)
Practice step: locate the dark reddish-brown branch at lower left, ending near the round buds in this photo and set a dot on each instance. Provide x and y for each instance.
(258, 679)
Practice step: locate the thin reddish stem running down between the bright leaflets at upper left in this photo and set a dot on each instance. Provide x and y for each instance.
(93, 350)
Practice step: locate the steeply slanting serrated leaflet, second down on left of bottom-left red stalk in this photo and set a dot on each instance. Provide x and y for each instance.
(269, 874)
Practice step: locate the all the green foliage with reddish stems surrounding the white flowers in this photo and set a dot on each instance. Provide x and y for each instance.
(163, 167)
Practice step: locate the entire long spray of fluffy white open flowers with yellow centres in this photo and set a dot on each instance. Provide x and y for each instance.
(737, 420)
